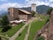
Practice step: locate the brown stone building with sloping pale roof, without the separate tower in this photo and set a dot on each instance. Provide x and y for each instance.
(15, 14)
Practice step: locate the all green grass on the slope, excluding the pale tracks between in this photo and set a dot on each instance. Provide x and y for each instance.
(35, 26)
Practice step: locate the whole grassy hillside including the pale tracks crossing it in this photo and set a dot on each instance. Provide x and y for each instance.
(34, 26)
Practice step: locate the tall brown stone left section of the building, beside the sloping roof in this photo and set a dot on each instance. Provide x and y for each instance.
(12, 13)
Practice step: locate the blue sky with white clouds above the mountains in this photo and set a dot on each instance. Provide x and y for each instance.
(5, 4)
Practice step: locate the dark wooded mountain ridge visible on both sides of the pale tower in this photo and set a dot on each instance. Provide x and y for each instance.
(42, 9)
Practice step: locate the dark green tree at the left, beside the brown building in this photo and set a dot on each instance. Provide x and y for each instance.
(5, 23)
